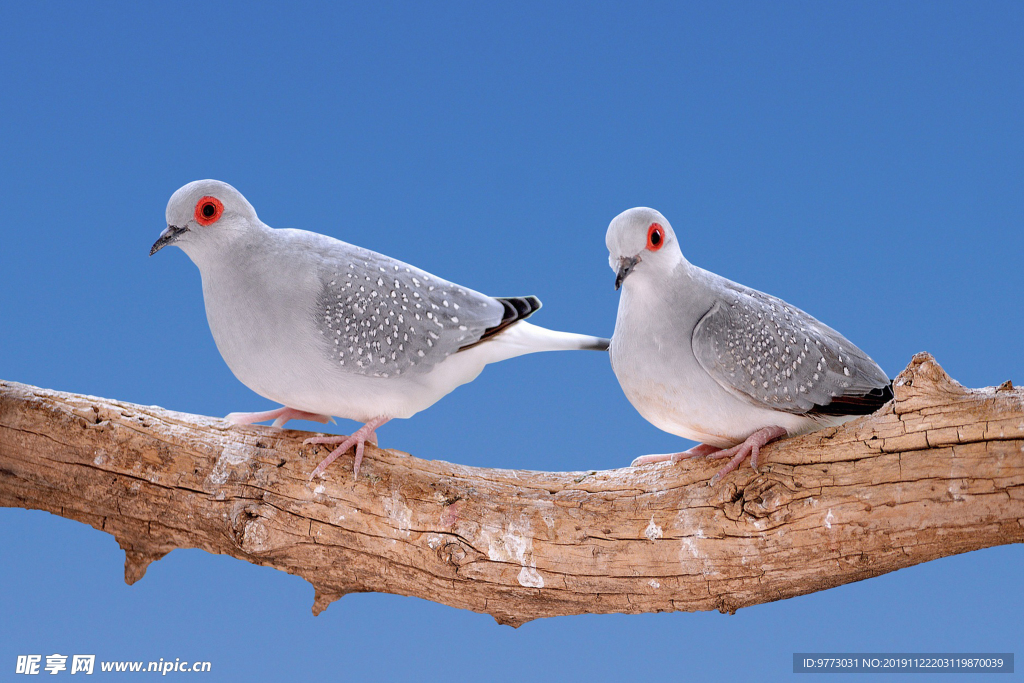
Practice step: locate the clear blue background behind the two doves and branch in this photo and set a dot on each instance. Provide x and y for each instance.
(863, 161)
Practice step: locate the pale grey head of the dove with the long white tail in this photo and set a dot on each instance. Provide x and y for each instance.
(204, 218)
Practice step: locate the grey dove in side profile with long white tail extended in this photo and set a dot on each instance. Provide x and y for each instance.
(328, 329)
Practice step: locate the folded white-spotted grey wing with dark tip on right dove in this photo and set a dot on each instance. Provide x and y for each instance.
(780, 358)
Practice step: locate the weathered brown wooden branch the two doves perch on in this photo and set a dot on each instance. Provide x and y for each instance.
(938, 472)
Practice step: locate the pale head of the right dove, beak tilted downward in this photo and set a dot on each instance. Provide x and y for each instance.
(642, 241)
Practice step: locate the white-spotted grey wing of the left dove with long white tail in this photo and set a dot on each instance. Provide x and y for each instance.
(382, 318)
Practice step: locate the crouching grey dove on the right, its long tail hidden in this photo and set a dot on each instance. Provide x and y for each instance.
(712, 361)
